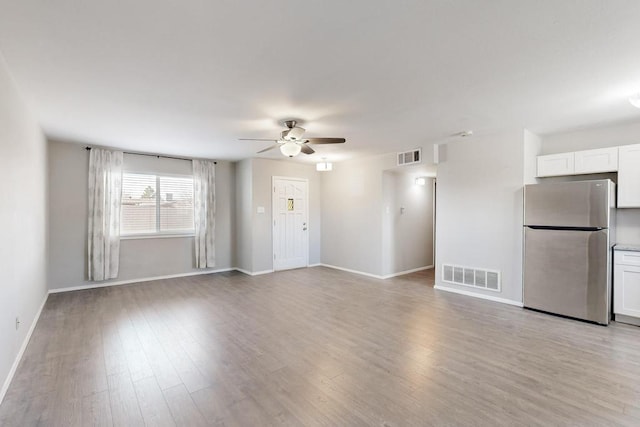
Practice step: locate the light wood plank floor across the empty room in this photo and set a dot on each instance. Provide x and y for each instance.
(316, 347)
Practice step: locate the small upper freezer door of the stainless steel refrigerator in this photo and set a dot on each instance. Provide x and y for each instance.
(584, 204)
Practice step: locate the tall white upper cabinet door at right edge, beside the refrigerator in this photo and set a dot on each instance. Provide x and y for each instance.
(629, 176)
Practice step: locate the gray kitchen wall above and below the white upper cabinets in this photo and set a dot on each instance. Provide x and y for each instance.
(628, 220)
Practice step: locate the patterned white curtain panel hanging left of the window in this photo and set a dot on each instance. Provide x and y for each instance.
(105, 195)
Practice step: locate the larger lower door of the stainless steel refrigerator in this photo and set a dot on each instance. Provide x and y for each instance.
(568, 272)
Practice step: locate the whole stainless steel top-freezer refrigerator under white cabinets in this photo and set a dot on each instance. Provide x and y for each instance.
(568, 235)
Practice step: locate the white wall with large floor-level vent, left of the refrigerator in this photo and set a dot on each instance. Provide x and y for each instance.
(479, 209)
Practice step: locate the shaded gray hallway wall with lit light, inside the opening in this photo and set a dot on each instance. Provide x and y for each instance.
(407, 236)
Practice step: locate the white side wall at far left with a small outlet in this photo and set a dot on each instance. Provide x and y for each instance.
(23, 222)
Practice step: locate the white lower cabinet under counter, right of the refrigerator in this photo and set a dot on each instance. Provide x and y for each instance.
(626, 286)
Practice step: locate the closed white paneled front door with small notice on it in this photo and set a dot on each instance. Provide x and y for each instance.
(290, 223)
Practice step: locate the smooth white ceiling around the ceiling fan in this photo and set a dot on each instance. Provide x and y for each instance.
(190, 77)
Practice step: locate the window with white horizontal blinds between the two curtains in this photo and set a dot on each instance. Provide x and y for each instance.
(156, 204)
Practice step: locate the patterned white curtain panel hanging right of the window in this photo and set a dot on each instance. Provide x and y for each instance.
(204, 210)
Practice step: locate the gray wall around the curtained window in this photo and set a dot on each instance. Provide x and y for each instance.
(139, 258)
